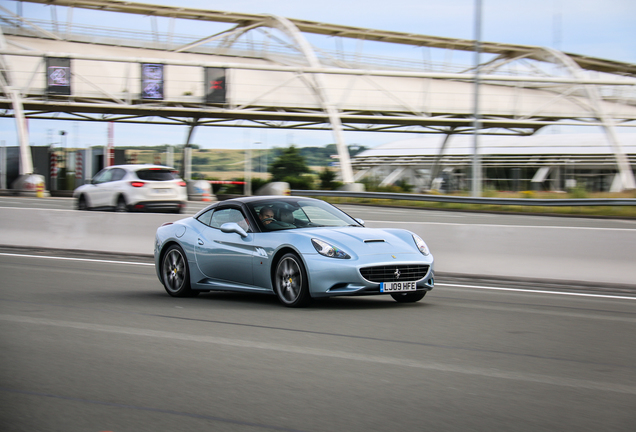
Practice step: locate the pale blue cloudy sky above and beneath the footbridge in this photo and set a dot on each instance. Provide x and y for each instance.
(605, 29)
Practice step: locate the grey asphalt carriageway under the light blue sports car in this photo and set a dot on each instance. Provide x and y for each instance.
(93, 343)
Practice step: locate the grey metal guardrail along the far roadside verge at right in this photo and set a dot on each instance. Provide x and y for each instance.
(575, 202)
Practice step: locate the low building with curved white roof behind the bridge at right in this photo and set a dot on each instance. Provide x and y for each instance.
(555, 162)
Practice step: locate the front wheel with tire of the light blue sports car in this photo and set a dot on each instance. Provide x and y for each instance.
(290, 282)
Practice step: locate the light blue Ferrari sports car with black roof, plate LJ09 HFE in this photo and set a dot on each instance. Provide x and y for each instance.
(296, 248)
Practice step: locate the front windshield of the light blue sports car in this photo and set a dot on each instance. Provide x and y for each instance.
(289, 213)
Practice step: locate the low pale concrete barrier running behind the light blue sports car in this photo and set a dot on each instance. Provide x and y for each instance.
(590, 255)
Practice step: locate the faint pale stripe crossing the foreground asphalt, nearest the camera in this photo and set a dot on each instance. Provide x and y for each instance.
(342, 355)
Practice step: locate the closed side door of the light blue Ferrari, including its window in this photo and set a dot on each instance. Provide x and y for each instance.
(226, 256)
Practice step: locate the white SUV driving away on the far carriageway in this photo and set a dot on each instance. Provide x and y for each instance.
(134, 188)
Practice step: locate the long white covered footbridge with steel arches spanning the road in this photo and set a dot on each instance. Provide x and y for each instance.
(262, 72)
